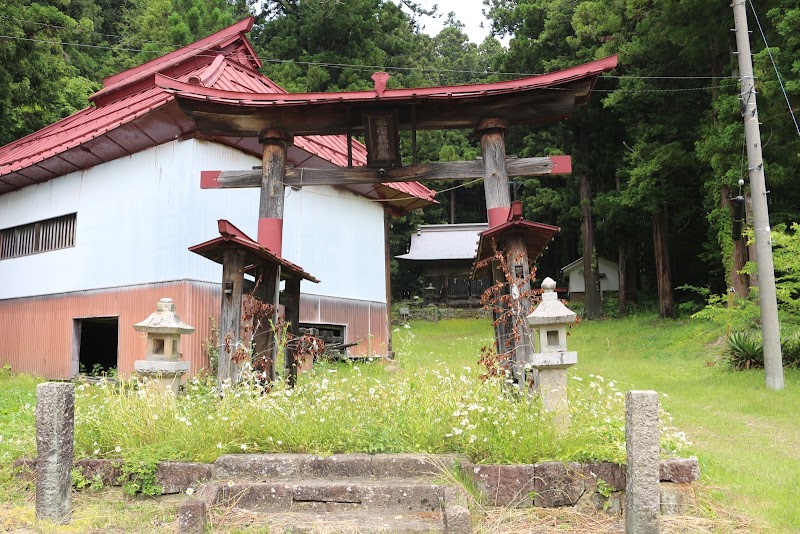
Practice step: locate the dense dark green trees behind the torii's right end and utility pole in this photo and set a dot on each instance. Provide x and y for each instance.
(656, 142)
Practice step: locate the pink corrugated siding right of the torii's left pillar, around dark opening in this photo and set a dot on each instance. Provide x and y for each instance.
(365, 321)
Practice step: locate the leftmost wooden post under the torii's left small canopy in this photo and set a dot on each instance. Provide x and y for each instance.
(230, 319)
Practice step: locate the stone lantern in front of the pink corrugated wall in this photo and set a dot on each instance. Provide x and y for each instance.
(162, 364)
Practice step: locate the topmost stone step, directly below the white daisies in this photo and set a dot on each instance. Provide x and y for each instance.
(257, 467)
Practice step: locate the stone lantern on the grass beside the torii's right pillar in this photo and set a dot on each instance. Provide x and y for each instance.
(549, 321)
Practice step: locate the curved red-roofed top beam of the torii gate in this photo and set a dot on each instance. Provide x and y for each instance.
(532, 100)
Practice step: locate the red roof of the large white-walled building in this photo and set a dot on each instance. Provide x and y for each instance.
(131, 114)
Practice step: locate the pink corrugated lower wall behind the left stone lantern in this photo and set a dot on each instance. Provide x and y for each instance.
(42, 327)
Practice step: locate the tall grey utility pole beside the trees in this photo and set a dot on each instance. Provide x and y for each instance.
(770, 327)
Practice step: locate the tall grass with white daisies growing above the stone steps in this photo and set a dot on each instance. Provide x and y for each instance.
(352, 408)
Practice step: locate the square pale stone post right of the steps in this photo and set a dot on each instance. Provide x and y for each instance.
(642, 491)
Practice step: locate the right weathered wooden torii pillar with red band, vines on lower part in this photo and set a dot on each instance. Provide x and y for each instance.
(515, 337)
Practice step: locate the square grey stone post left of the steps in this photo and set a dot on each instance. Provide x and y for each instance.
(55, 418)
